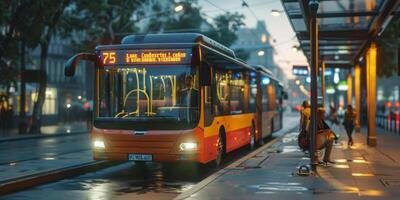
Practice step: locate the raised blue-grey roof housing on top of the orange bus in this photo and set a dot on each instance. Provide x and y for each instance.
(166, 38)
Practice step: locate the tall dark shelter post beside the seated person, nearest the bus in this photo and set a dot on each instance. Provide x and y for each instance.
(313, 4)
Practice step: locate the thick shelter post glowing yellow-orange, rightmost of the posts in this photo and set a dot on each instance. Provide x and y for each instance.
(371, 93)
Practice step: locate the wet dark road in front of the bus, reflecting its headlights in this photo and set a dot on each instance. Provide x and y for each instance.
(128, 181)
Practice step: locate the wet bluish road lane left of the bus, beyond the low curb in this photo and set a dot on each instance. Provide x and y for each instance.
(36, 149)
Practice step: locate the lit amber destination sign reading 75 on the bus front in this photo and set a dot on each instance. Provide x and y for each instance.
(159, 56)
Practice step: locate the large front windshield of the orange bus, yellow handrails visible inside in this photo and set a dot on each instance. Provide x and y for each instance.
(150, 95)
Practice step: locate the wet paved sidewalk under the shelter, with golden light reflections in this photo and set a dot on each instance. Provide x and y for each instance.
(360, 172)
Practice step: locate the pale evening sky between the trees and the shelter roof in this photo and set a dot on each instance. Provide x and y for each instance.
(279, 27)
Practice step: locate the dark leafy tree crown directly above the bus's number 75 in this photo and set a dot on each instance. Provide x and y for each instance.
(101, 22)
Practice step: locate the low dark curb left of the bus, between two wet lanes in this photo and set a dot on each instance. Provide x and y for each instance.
(18, 184)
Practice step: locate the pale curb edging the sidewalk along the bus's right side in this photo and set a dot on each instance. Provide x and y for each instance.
(199, 186)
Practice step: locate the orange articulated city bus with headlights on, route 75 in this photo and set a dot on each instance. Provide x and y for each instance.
(177, 97)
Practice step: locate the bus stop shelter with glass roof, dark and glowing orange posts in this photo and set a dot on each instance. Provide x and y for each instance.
(342, 34)
